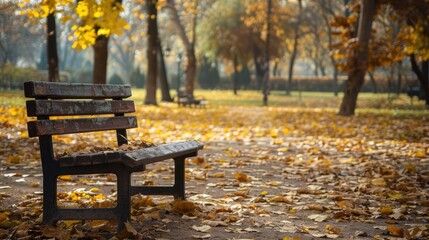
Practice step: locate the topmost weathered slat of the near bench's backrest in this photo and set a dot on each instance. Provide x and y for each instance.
(75, 90)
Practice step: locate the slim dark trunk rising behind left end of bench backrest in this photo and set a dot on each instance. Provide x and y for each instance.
(52, 52)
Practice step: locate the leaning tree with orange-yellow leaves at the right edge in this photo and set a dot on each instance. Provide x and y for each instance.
(362, 48)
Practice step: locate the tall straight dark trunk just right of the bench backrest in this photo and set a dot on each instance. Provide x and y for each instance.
(152, 67)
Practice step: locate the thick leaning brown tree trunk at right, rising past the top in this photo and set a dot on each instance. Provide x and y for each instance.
(358, 63)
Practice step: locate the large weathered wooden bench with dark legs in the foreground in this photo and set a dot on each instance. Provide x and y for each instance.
(65, 100)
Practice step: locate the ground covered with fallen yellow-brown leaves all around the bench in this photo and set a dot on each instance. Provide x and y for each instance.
(273, 173)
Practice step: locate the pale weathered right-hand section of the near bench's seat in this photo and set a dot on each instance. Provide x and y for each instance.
(161, 152)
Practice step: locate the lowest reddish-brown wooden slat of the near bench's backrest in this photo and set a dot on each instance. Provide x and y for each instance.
(79, 125)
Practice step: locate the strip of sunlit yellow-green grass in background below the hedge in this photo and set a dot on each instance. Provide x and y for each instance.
(381, 103)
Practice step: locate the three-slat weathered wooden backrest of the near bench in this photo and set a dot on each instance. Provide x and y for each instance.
(73, 99)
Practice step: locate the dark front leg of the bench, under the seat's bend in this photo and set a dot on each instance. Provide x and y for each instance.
(123, 197)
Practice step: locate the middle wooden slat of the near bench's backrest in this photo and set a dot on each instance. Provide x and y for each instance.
(68, 108)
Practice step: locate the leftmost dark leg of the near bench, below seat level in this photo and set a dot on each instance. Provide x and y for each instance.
(49, 198)
